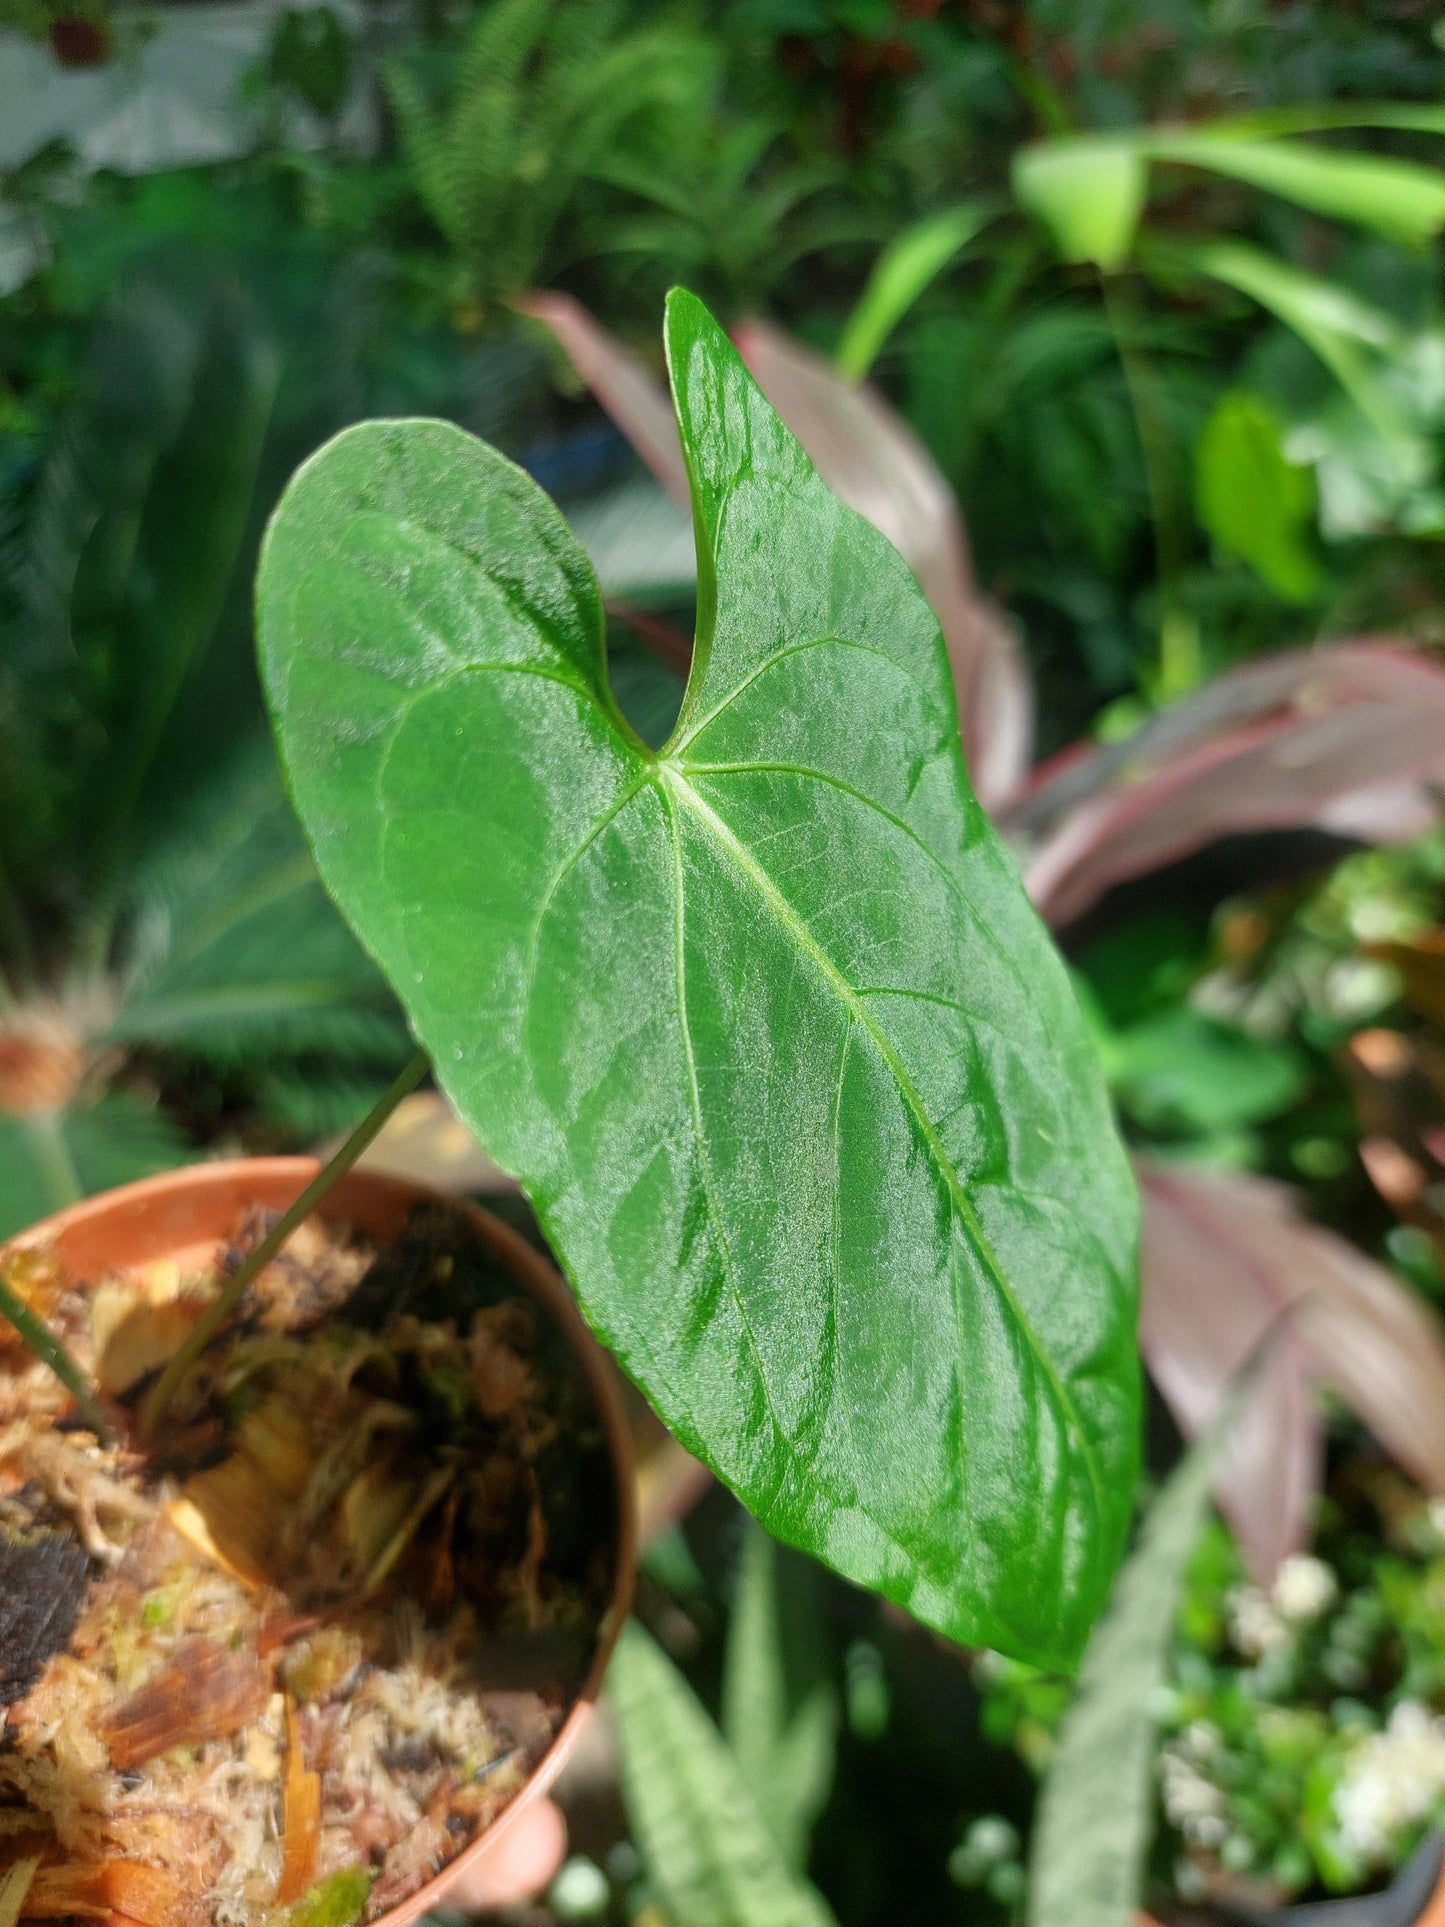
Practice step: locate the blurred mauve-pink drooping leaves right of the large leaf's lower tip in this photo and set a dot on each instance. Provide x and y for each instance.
(1224, 1257)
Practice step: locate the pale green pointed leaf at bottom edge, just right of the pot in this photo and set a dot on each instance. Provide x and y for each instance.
(695, 1814)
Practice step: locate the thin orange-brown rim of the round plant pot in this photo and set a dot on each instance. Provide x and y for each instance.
(136, 1205)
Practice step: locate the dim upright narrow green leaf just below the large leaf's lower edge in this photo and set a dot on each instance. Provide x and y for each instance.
(779, 1704)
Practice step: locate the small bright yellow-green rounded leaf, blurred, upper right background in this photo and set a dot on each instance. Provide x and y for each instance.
(1253, 500)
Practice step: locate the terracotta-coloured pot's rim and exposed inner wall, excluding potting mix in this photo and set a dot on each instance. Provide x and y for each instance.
(190, 1215)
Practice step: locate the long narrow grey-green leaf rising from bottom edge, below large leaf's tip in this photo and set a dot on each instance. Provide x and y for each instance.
(1097, 1805)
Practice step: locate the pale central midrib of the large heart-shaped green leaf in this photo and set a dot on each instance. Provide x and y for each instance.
(683, 793)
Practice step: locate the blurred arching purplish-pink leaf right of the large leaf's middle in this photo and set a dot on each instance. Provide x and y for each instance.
(1290, 741)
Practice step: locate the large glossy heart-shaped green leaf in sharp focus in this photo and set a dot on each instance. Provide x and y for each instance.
(762, 1022)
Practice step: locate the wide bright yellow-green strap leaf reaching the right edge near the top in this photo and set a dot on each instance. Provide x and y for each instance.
(1400, 199)
